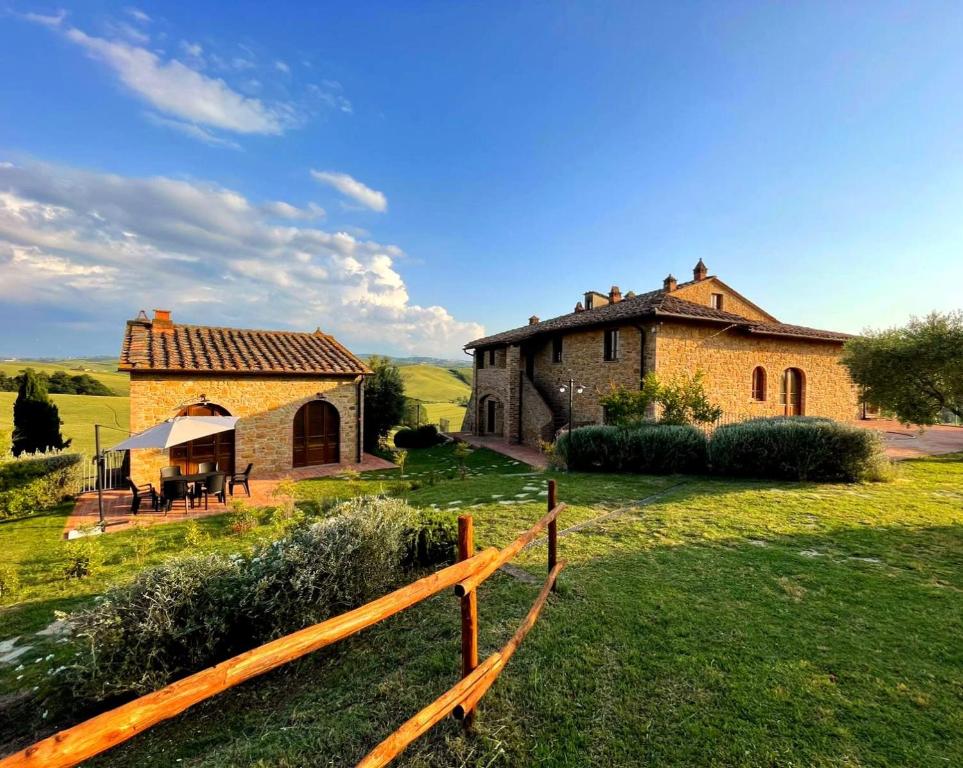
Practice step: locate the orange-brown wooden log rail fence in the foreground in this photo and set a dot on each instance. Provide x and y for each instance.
(81, 742)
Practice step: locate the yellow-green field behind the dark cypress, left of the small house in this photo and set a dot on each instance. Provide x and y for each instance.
(79, 413)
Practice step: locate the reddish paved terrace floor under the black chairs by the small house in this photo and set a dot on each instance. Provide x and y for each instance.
(263, 493)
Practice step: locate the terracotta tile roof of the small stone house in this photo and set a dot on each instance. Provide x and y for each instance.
(234, 350)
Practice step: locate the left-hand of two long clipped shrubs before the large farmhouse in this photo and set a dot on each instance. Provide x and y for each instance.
(646, 449)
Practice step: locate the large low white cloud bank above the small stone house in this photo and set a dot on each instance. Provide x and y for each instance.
(100, 245)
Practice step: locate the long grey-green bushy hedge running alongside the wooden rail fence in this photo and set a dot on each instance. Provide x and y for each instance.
(192, 612)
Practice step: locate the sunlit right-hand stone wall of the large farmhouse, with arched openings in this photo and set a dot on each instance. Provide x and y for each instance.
(727, 359)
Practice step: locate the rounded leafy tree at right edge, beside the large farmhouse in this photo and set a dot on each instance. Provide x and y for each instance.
(915, 371)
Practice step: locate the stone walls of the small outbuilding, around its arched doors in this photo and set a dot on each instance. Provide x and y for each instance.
(265, 405)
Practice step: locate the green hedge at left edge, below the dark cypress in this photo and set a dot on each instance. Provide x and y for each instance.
(37, 483)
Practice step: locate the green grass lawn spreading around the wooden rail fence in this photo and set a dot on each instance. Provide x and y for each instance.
(721, 623)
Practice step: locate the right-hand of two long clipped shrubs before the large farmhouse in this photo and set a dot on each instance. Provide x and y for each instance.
(795, 448)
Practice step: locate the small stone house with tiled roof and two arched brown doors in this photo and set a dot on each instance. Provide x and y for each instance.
(299, 396)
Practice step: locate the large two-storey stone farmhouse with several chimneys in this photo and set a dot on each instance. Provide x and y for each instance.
(753, 365)
